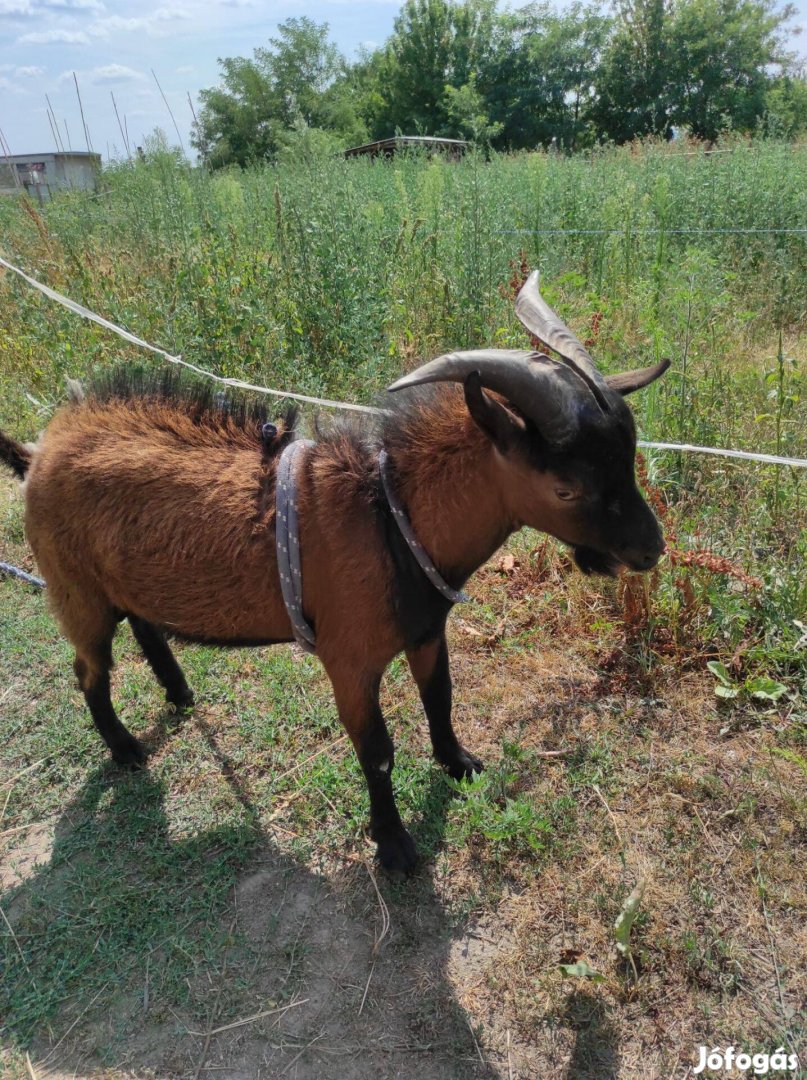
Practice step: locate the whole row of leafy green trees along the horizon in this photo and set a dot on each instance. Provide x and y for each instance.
(535, 77)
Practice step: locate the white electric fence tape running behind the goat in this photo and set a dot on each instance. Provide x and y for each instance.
(774, 460)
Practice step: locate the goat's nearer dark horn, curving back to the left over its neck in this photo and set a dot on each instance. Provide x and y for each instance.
(550, 395)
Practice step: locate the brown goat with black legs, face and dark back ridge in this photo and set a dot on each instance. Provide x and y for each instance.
(155, 502)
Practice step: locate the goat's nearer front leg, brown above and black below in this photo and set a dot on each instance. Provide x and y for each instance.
(357, 700)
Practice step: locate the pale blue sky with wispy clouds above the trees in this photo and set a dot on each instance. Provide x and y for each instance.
(113, 47)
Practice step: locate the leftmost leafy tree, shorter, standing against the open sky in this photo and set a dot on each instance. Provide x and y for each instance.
(299, 80)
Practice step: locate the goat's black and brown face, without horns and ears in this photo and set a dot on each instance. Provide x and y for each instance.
(586, 493)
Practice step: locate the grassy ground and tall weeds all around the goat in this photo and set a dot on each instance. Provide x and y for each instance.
(611, 760)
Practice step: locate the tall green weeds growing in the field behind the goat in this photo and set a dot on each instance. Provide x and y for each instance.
(328, 277)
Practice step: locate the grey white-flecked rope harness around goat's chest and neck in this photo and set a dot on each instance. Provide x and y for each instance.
(288, 543)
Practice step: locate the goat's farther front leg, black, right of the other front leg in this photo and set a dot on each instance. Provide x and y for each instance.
(431, 668)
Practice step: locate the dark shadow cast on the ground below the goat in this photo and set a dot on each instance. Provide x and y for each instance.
(136, 937)
